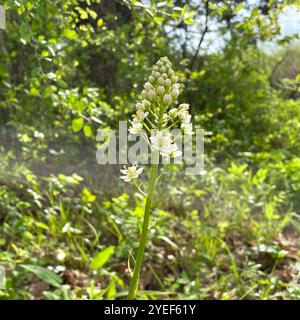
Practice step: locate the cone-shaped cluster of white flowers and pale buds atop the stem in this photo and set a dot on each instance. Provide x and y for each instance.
(159, 94)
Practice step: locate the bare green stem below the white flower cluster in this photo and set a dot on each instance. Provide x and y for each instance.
(134, 281)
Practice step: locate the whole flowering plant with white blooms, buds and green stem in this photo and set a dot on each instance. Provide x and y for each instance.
(157, 114)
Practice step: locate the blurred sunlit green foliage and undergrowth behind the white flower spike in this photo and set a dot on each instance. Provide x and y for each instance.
(67, 225)
